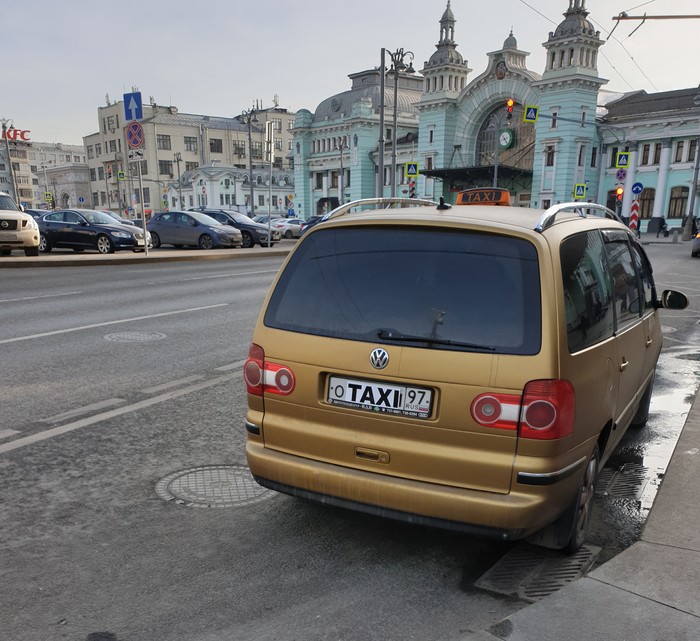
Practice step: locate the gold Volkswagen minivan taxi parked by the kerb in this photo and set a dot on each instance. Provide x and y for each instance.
(465, 367)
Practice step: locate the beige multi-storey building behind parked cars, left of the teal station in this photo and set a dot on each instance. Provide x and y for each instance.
(176, 147)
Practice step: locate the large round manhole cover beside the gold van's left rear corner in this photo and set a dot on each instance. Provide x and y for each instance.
(212, 486)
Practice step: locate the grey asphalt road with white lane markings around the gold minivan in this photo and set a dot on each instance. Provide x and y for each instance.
(115, 378)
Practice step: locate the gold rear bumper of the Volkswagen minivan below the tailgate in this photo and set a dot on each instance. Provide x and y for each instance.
(511, 516)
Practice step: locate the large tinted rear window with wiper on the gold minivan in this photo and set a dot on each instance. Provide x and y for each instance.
(427, 287)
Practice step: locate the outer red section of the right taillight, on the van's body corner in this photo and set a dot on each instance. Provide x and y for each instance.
(548, 409)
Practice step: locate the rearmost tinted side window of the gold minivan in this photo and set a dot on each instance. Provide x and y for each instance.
(587, 291)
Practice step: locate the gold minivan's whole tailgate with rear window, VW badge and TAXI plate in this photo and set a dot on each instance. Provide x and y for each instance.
(408, 326)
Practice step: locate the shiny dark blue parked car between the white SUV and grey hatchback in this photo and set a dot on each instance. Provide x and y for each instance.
(81, 229)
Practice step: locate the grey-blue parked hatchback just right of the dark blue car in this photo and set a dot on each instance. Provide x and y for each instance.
(191, 228)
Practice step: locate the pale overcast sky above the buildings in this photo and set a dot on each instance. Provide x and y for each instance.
(215, 57)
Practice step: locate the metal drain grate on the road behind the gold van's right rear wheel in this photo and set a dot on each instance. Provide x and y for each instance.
(531, 573)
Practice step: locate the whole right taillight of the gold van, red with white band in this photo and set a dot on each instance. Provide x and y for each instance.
(545, 411)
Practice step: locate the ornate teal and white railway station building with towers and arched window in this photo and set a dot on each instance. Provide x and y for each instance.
(549, 137)
